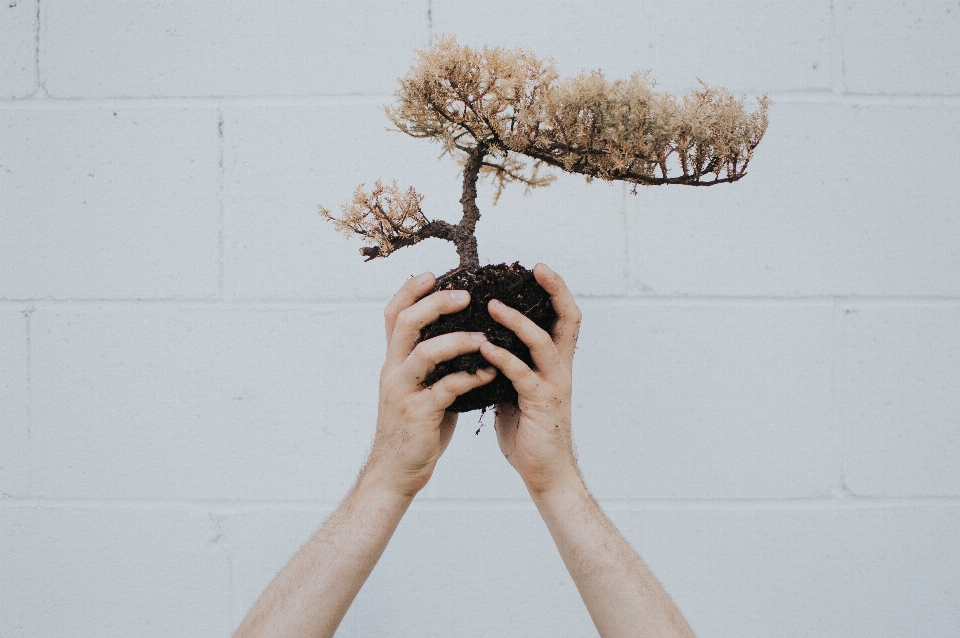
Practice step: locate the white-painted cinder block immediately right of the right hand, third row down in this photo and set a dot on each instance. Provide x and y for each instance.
(679, 400)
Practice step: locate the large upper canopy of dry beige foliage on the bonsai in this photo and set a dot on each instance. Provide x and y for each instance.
(513, 102)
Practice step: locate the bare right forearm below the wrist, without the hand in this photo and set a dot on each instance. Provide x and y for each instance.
(621, 594)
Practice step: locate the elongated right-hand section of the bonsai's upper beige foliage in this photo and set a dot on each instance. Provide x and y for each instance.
(623, 130)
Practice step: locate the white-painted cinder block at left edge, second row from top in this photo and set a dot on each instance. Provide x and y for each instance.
(109, 203)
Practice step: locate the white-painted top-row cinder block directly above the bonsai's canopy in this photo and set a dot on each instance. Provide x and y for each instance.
(746, 46)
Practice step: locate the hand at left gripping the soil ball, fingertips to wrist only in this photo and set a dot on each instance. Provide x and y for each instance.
(413, 426)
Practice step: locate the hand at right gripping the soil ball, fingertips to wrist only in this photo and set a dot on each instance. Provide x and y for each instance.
(535, 436)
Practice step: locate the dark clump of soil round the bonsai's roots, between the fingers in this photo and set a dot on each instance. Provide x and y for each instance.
(515, 286)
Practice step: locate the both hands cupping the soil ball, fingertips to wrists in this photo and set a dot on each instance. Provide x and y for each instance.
(413, 426)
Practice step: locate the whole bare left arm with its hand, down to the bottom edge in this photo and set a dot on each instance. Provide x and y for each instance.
(312, 593)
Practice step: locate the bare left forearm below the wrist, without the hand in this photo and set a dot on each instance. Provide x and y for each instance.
(312, 593)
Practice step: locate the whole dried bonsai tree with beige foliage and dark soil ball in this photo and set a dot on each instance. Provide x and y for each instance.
(506, 116)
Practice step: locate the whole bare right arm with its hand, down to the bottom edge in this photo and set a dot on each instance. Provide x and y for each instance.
(621, 594)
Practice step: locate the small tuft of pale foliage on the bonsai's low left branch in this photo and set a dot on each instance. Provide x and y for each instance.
(388, 215)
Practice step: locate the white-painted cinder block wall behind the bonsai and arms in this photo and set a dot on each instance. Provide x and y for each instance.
(767, 384)
